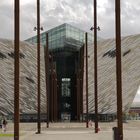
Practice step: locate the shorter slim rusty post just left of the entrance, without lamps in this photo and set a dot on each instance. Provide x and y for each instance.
(47, 78)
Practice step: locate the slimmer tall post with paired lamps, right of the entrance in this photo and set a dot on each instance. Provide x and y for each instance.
(95, 67)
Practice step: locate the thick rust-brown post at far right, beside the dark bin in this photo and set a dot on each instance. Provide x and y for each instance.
(118, 69)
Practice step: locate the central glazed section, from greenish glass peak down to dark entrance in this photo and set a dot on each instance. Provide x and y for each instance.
(65, 45)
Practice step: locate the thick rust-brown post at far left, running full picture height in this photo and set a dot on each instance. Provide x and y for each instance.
(16, 69)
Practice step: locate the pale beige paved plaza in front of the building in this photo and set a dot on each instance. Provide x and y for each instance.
(73, 131)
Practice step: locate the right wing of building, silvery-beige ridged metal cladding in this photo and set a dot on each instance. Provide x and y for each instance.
(107, 74)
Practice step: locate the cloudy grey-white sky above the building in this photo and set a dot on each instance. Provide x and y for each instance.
(76, 12)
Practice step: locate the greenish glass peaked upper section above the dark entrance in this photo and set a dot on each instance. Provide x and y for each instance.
(62, 36)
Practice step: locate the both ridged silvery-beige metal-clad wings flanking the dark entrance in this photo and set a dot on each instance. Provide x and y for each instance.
(106, 76)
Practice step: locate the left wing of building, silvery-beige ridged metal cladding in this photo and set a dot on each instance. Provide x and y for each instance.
(28, 78)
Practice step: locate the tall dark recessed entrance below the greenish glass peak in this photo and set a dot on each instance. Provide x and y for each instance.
(69, 96)
